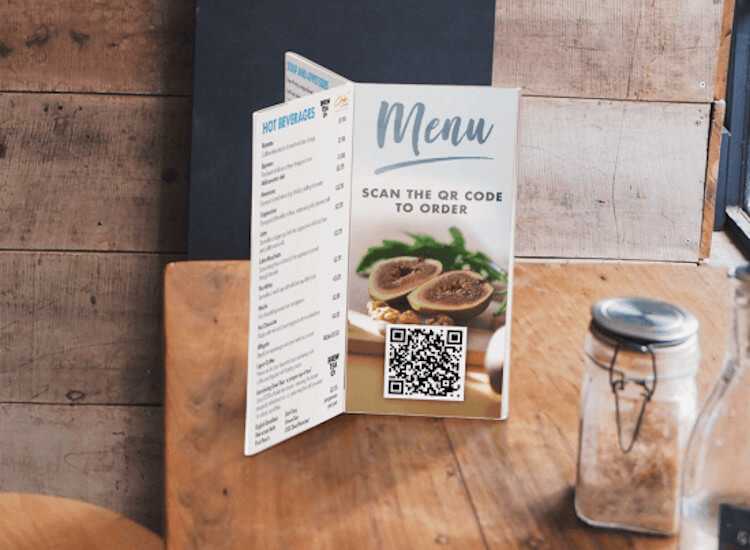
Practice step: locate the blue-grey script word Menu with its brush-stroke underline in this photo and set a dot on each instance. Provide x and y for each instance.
(453, 130)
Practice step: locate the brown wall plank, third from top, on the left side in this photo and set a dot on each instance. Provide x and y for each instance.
(80, 327)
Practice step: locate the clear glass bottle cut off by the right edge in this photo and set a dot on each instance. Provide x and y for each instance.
(716, 477)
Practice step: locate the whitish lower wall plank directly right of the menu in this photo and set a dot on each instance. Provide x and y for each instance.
(611, 179)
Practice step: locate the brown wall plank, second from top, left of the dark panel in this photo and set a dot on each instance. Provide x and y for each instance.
(87, 172)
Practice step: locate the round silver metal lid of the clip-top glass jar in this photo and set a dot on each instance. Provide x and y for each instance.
(643, 321)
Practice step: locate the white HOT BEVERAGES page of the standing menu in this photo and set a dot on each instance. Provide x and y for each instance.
(298, 289)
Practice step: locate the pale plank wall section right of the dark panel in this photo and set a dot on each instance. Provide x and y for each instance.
(613, 160)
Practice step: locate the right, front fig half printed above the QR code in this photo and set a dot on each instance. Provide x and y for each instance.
(459, 294)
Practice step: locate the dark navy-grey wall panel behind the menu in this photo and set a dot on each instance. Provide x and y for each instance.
(239, 69)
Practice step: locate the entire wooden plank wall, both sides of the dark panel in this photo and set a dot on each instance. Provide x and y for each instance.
(94, 163)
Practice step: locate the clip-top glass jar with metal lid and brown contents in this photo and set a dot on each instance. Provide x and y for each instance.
(638, 406)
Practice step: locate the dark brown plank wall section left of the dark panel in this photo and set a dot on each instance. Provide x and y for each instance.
(94, 165)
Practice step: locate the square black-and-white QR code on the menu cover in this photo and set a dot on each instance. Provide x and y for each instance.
(425, 362)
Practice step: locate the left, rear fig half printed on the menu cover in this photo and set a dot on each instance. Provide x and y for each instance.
(394, 278)
